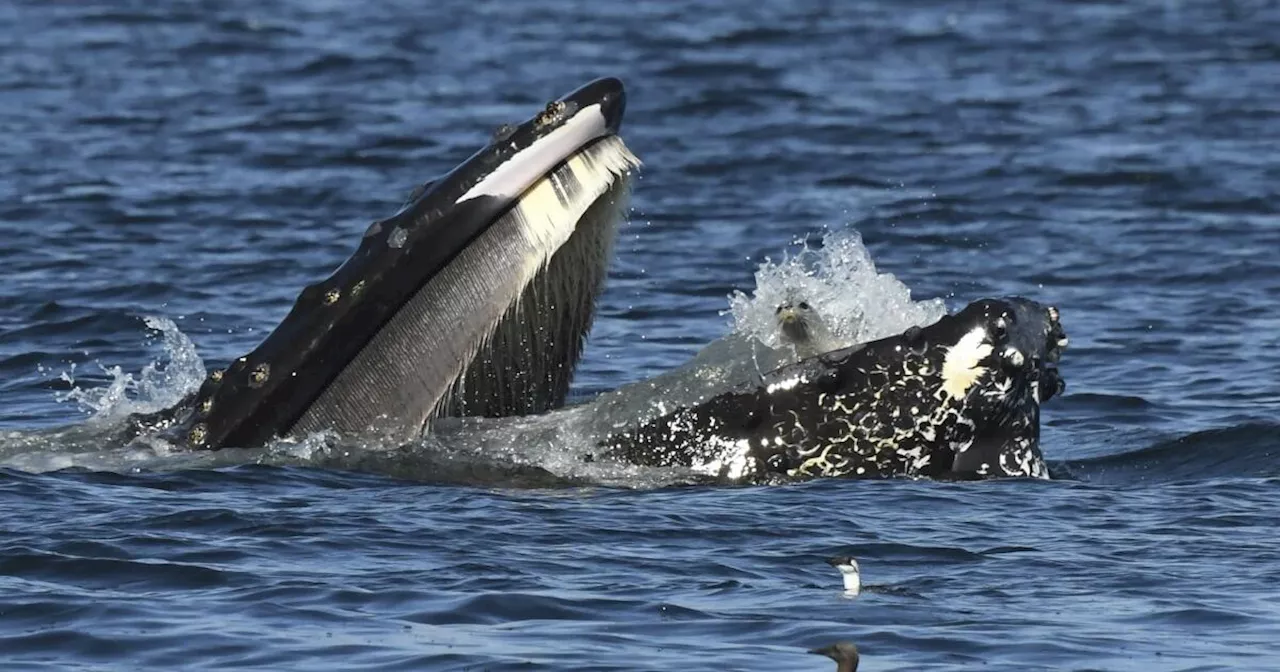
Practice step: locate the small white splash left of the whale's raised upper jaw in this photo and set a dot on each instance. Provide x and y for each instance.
(159, 386)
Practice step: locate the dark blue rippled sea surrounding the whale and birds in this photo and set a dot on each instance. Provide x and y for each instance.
(200, 162)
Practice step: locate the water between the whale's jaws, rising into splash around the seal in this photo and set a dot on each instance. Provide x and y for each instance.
(839, 281)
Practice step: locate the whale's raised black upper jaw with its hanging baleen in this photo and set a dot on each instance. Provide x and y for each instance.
(474, 299)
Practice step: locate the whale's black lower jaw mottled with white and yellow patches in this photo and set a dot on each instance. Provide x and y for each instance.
(959, 399)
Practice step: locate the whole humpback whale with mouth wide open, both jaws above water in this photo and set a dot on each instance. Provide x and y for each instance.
(476, 300)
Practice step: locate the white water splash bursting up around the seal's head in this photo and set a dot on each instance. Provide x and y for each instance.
(842, 284)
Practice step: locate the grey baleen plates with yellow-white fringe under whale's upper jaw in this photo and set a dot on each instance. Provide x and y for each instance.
(501, 328)
